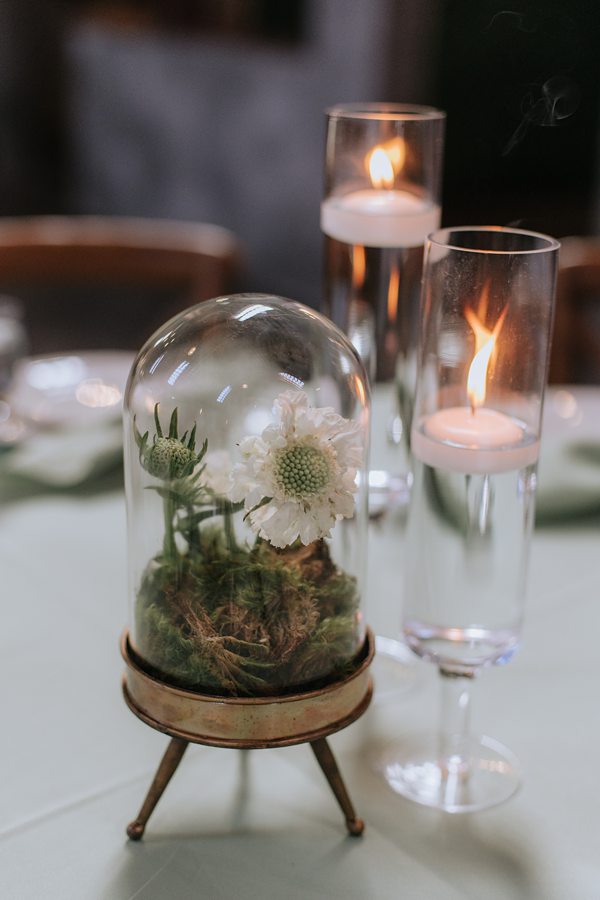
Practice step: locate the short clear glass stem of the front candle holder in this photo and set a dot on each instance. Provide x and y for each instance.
(454, 737)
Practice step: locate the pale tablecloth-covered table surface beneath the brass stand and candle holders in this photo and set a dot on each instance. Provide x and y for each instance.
(76, 763)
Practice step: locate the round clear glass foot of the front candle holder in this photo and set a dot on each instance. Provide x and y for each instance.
(486, 775)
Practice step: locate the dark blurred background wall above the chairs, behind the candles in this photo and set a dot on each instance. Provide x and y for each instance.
(213, 112)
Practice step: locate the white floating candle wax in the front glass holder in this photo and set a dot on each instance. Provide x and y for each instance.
(483, 442)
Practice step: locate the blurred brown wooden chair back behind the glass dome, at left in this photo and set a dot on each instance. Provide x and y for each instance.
(90, 282)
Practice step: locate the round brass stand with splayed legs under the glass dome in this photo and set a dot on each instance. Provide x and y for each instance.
(247, 723)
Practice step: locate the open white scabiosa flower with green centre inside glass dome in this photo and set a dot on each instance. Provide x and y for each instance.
(299, 476)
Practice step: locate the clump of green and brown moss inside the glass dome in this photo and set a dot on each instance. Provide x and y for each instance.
(251, 622)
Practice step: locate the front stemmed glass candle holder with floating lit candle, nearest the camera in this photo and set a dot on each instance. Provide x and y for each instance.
(488, 296)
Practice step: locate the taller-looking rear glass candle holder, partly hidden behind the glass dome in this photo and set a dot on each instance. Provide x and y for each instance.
(382, 198)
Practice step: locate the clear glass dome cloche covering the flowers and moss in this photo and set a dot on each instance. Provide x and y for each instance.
(246, 448)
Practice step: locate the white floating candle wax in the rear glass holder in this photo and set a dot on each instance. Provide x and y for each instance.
(379, 218)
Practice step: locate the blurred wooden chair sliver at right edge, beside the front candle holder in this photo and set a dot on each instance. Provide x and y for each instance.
(575, 354)
